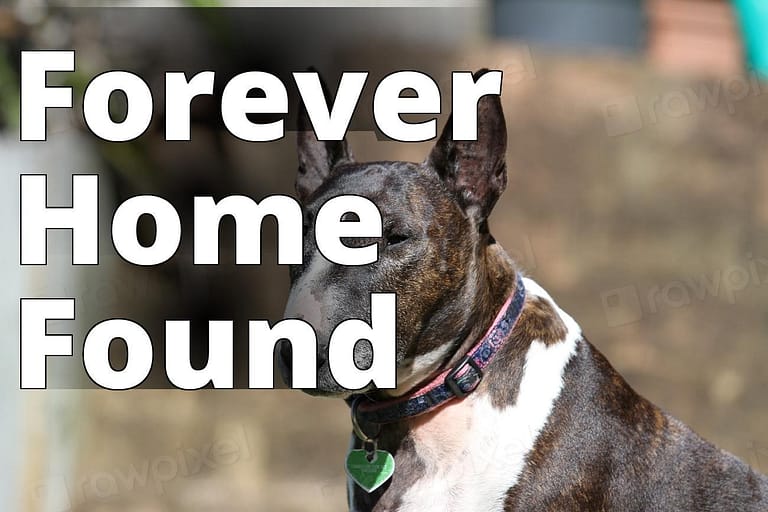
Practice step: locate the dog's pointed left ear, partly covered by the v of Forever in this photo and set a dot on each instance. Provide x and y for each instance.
(316, 158)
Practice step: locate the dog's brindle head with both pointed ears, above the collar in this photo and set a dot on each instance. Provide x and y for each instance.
(432, 253)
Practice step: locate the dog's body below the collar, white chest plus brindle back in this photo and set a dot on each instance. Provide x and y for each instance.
(553, 427)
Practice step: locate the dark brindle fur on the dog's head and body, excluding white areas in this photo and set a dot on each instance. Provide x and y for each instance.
(604, 448)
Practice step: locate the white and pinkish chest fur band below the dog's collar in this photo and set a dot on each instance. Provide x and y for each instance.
(474, 452)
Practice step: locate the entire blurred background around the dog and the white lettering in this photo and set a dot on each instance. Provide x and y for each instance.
(638, 196)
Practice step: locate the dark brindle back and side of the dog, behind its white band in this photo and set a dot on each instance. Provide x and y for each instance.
(607, 448)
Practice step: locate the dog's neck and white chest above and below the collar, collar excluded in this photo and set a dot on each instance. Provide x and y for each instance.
(450, 447)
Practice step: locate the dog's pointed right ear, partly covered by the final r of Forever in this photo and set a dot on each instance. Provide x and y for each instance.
(475, 170)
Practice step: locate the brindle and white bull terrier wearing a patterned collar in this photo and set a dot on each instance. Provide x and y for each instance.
(501, 402)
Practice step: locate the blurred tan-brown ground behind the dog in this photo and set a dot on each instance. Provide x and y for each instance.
(639, 201)
